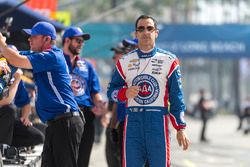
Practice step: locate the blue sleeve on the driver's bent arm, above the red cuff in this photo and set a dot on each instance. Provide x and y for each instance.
(117, 82)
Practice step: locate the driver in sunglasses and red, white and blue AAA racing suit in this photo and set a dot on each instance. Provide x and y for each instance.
(147, 79)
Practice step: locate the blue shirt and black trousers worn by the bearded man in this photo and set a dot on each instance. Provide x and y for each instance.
(84, 83)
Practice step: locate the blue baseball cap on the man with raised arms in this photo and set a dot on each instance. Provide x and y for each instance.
(42, 28)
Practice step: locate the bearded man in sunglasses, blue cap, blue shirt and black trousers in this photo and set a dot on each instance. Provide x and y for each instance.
(86, 88)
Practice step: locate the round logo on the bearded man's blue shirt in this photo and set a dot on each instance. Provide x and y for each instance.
(78, 85)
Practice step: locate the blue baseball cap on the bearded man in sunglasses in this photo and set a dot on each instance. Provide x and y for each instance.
(74, 32)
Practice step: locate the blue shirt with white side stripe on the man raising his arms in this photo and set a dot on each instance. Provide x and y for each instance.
(54, 94)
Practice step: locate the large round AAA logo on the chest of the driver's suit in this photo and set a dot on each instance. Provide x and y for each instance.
(149, 89)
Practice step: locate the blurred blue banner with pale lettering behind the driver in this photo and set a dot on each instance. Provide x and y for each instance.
(222, 41)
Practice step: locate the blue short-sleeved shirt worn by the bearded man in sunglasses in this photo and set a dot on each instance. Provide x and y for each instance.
(84, 81)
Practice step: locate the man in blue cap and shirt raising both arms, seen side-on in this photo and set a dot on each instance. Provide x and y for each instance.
(55, 103)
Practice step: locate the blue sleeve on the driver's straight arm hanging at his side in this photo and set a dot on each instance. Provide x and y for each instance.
(177, 106)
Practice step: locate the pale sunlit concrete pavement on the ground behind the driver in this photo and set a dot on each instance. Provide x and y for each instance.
(227, 147)
